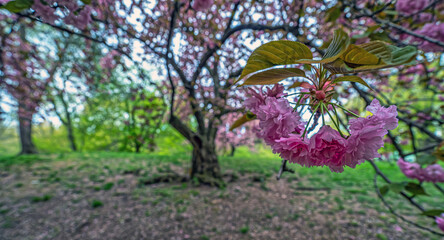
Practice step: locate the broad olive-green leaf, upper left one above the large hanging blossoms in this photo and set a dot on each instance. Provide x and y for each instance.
(275, 53)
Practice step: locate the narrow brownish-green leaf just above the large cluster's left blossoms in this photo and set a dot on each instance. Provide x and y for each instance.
(272, 76)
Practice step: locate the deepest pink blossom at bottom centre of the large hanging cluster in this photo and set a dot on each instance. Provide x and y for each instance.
(327, 148)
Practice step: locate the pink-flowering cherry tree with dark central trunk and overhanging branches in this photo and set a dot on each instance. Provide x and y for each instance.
(204, 44)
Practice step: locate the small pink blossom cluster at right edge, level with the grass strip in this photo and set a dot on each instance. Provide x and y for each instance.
(432, 173)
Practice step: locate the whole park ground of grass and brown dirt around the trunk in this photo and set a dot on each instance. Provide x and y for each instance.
(103, 195)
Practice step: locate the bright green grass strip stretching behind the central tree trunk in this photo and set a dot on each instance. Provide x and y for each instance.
(262, 166)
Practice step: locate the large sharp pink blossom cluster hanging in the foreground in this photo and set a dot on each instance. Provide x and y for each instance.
(281, 128)
